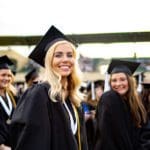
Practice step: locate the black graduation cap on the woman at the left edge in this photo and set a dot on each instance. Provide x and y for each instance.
(5, 62)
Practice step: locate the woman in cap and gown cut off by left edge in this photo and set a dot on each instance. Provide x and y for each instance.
(7, 99)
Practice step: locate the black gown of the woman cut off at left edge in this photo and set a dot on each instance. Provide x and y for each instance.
(4, 126)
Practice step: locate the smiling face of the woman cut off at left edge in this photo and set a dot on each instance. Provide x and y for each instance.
(5, 78)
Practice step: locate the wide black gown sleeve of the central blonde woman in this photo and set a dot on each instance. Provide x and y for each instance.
(30, 121)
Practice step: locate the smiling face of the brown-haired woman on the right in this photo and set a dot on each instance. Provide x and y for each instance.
(119, 83)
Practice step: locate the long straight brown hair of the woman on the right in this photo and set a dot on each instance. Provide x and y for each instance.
(135, 103)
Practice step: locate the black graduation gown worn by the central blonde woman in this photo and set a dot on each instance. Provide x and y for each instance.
(40, 124)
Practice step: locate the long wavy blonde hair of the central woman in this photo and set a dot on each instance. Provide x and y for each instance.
(54, 79)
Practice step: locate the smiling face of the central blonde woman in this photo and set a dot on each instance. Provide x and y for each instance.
(63, 60)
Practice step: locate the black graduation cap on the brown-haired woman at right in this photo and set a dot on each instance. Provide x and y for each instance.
(117, 66)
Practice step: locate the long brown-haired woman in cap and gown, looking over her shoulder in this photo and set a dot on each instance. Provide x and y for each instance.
(120, 112)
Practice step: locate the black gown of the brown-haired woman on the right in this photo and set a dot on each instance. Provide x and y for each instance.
(115, 128)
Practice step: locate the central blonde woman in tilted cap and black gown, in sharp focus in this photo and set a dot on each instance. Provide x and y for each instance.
(49, 115)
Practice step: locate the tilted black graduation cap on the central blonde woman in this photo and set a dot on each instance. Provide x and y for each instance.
(52, 36)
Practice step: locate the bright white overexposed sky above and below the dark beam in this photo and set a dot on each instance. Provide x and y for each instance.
(34, 17)
